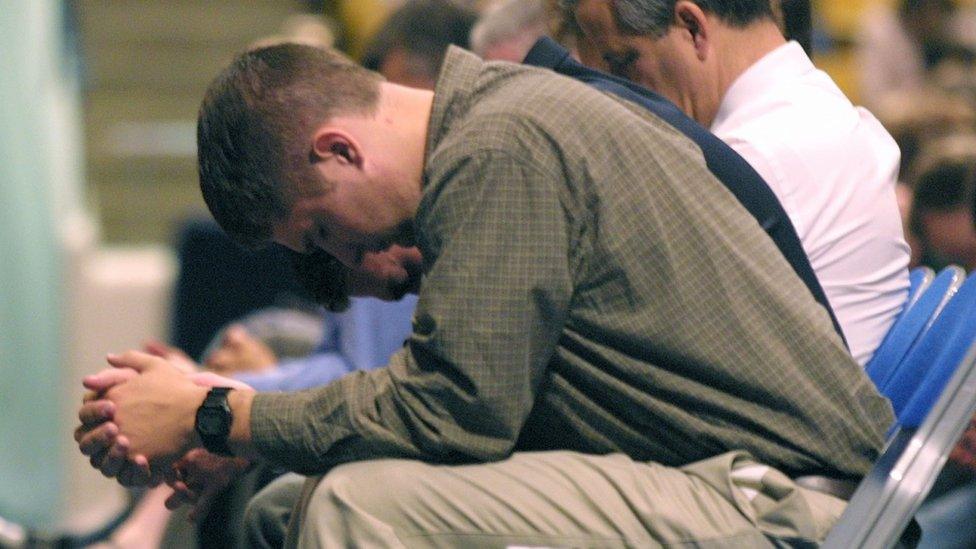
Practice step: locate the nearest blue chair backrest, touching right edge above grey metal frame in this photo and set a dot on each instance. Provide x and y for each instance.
(935, 354)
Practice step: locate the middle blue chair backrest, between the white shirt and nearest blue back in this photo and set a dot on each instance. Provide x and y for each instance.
(911, 324)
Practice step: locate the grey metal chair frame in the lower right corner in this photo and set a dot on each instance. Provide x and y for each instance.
(893, 490)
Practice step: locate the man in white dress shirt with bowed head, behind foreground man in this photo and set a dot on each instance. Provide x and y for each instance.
(832, 165)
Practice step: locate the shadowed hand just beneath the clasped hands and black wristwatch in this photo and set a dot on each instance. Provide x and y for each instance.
(199, 477)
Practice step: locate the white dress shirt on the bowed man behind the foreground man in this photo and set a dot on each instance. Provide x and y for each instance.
(833, 167)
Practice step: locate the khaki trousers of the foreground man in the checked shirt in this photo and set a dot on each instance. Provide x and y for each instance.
(561, 499)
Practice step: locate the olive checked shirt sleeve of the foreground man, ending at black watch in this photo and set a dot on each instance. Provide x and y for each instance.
(491, 310)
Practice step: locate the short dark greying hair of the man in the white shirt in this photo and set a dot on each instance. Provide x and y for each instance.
(655, 17)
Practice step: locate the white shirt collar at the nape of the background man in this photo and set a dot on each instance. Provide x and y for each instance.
(786, 62)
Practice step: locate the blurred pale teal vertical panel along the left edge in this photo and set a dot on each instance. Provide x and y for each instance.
(37, 180)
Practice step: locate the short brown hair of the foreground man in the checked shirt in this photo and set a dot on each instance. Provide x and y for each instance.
(255, 121)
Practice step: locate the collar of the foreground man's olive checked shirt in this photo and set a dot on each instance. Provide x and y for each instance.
(452, 94)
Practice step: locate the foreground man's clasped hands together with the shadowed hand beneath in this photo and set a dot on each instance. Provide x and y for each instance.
(137, 425)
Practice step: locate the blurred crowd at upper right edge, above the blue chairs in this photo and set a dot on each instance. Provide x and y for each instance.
(915, 62)
